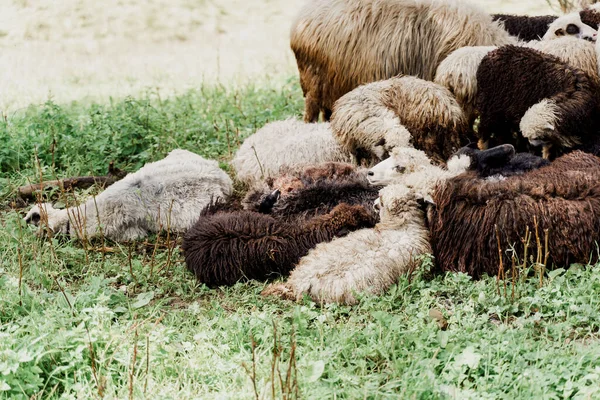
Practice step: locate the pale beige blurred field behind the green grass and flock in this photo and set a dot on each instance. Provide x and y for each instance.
(88, 49)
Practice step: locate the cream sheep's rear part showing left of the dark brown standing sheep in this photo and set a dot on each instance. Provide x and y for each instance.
(458, 73)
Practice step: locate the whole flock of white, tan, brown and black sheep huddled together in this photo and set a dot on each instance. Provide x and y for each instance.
(446, 131)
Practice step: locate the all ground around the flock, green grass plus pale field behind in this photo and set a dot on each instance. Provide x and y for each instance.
(116, 321)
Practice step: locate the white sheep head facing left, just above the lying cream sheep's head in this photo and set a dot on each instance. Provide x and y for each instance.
(402, 161)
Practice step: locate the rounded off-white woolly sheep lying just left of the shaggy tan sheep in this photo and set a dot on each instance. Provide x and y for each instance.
(283, 144)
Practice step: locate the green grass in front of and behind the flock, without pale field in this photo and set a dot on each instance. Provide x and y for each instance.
(81, 323)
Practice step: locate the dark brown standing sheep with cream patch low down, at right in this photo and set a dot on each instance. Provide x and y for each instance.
(552, 103)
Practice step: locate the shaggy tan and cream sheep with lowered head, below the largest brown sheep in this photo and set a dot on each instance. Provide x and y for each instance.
(402, 111)
